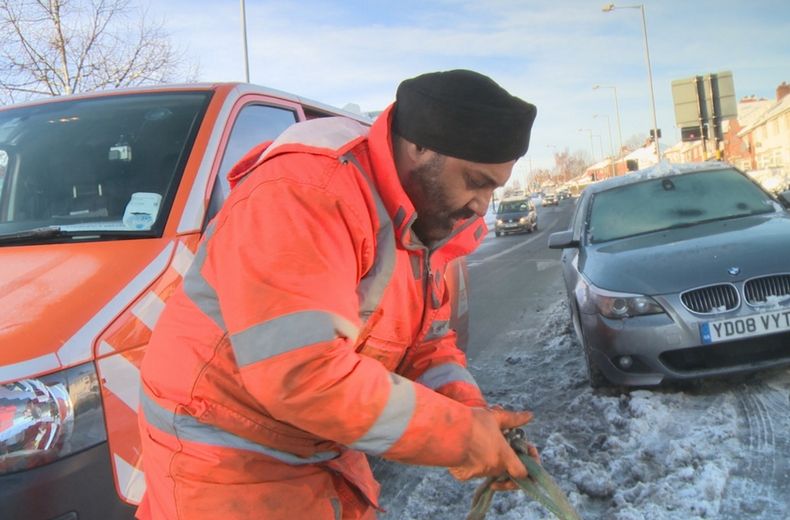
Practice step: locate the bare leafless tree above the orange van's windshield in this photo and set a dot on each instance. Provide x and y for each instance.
(54, 47)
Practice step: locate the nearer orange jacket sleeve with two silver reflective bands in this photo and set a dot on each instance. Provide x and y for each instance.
(285, 259)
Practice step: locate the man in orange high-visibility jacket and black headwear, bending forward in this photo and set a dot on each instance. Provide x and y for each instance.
(313, 326)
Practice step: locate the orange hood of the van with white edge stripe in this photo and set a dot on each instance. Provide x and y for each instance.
(57, 298)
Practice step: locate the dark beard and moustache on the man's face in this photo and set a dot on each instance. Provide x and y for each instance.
(435, 216)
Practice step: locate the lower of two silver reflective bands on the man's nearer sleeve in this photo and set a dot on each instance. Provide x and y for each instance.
(392, 421)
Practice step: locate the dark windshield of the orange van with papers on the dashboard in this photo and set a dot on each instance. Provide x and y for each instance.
(107, 164)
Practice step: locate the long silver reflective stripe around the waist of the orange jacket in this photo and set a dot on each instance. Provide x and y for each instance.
(186, 427)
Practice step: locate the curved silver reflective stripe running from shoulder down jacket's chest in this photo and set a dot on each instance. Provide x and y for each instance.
(372, 286)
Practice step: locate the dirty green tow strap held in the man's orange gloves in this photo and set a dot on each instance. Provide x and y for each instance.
(538, 485)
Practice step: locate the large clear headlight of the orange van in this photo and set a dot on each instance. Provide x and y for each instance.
(44, 419)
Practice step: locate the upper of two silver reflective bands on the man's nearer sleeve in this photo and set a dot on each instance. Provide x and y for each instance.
(288, 332)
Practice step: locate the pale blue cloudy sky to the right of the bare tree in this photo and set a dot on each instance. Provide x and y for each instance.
(549, 52)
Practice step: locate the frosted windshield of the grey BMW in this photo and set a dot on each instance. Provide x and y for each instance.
(668, 202)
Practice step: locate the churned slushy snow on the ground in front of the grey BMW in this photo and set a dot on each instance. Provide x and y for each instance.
(711, 450)
